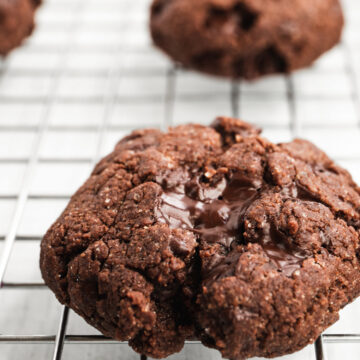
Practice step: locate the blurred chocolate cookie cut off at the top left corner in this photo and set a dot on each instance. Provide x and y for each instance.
(16, 22)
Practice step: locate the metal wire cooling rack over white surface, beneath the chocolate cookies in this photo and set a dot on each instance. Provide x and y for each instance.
(88, 76)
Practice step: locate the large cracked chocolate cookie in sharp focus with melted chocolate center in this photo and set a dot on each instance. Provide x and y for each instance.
(210, 233)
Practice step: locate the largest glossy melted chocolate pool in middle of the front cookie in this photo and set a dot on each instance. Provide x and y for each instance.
(214, 213)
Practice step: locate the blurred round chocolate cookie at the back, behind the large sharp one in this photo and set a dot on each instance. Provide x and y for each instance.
(245, 38)
